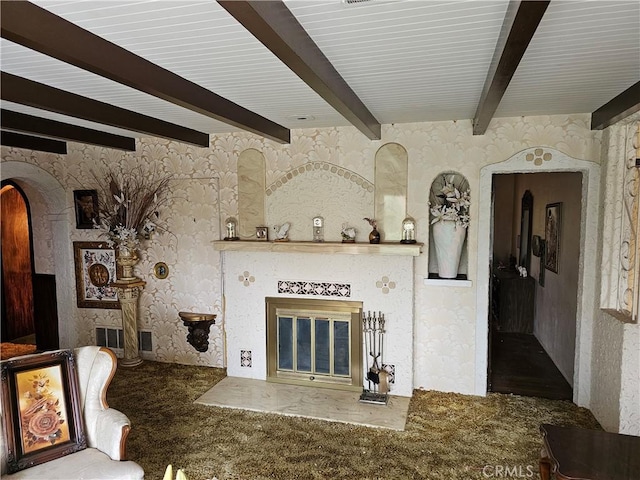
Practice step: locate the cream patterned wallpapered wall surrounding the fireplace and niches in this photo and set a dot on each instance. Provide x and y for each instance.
(444, 318)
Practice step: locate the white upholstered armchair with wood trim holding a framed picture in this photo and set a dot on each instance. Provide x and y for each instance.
(106, 429)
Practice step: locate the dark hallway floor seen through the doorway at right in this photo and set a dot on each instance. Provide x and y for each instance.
(519, 365)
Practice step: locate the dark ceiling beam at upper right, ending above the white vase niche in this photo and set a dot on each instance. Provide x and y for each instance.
(521, 21)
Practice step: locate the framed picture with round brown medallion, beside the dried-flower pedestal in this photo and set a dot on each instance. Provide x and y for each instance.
(95, 270)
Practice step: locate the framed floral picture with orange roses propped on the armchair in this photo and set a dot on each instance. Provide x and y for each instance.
(41, 408)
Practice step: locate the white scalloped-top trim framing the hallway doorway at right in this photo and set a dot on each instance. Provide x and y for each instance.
(524, 162)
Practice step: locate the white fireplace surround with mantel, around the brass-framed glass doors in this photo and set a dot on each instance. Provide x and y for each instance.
(381, 279)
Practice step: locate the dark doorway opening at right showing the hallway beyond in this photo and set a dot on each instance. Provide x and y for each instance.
(534, 296)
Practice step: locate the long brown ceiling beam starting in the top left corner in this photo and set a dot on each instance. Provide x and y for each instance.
(41, 30)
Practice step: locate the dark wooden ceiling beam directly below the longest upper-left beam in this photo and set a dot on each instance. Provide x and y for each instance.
(27, 92)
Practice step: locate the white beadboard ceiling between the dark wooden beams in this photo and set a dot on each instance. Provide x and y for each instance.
(408, 61)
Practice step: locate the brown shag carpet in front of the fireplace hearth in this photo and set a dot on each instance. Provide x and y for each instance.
(448, 436)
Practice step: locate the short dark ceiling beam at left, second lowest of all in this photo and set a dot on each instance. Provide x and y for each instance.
(22, 122)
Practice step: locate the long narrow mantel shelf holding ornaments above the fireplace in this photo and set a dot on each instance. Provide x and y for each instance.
(413, 249)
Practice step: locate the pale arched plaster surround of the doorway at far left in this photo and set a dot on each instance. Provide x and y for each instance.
(35, 179)
